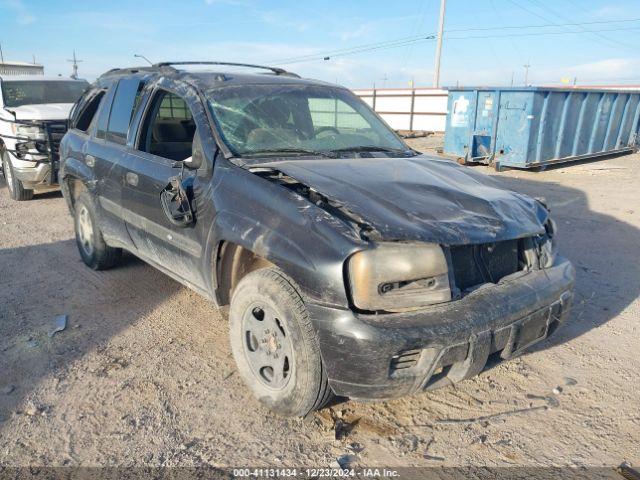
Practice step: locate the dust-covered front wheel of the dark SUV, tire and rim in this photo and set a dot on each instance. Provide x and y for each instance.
(295, 345)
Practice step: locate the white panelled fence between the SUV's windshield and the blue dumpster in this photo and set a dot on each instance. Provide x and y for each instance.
(415, 109)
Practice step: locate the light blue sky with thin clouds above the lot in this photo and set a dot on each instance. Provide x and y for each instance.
(107, 34)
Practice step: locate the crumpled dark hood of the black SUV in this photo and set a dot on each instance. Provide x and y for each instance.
(421, 198)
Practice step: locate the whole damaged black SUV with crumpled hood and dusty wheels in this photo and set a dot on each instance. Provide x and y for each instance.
(352, 264)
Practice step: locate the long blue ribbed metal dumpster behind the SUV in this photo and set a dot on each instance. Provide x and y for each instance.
(534, 126)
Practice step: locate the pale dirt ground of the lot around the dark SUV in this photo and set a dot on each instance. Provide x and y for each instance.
(143, 374)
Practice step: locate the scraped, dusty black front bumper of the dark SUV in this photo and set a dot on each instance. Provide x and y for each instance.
(395, 354)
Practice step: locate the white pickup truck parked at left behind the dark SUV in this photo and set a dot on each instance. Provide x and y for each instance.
(33, 119)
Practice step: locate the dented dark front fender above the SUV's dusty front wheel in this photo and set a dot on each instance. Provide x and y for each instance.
(305, 241)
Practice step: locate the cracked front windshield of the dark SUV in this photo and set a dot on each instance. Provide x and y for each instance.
(298, 120)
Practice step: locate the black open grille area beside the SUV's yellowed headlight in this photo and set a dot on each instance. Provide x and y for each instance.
(483, 263)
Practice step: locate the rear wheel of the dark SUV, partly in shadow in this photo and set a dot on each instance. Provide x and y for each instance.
(94, 251)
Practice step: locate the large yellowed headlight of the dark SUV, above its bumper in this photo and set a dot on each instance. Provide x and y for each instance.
(399, 276)
